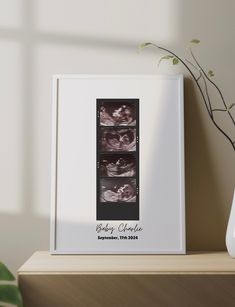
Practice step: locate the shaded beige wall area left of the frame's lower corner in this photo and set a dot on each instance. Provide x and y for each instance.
(21, 235)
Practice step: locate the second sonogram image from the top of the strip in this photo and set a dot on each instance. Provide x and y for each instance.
(118, 139)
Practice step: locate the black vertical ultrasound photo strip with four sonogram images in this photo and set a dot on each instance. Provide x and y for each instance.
(117, 159)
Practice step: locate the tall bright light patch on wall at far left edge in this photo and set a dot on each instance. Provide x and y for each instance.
(11, 121)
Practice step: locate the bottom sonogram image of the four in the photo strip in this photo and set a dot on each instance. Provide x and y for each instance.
(117, 190)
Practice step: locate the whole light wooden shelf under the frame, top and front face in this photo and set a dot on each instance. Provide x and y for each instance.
(196, 279)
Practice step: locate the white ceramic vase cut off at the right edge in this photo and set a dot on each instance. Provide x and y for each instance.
(230, 233)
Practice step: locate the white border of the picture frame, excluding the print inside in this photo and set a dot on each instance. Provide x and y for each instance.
(54, 161)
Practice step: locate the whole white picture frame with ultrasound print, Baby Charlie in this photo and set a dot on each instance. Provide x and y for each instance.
(78, 203)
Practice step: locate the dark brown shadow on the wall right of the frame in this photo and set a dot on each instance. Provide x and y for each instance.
(205, 219)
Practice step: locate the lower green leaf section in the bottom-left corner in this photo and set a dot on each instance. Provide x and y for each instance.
(10, 294)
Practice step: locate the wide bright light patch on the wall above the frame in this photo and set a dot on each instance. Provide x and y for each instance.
(124, 20)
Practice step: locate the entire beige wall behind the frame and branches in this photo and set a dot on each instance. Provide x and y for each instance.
(39, 38)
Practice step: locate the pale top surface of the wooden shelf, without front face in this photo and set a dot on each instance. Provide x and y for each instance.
(193, 263)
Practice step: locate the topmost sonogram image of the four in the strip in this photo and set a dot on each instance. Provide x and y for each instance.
(117, 114)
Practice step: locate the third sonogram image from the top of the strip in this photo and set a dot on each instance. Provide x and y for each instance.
(118, 165)
